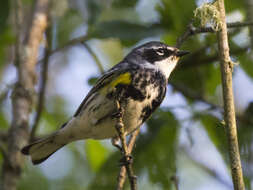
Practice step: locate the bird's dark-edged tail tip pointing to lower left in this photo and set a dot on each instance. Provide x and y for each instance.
(42, 149)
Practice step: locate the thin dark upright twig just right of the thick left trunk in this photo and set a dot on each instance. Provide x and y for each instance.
(42, 92)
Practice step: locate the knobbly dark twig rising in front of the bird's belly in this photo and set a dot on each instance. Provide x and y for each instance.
(127, 159)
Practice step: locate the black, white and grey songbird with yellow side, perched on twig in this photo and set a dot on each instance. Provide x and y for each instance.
(139, 81)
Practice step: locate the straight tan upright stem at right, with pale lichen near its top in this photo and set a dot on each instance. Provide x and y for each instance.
(228, 98)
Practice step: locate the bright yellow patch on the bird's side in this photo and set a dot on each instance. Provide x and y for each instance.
(124, 78)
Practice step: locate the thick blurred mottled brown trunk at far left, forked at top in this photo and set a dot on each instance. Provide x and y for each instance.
(22, 96)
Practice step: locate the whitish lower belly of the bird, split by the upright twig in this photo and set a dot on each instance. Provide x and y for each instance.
(97, 121)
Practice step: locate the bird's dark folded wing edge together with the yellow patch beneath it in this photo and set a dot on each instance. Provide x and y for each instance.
(110, 79)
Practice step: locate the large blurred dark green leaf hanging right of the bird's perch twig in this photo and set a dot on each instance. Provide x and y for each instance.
(157, 152)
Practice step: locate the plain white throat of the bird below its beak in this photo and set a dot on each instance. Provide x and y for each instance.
(167, 66)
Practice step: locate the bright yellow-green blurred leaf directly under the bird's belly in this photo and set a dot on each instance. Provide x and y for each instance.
(96, 154)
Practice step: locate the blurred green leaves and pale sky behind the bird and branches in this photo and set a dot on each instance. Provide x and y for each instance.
(184, 138)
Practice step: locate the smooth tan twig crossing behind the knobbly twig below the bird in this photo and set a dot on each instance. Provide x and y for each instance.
(122, 172)
